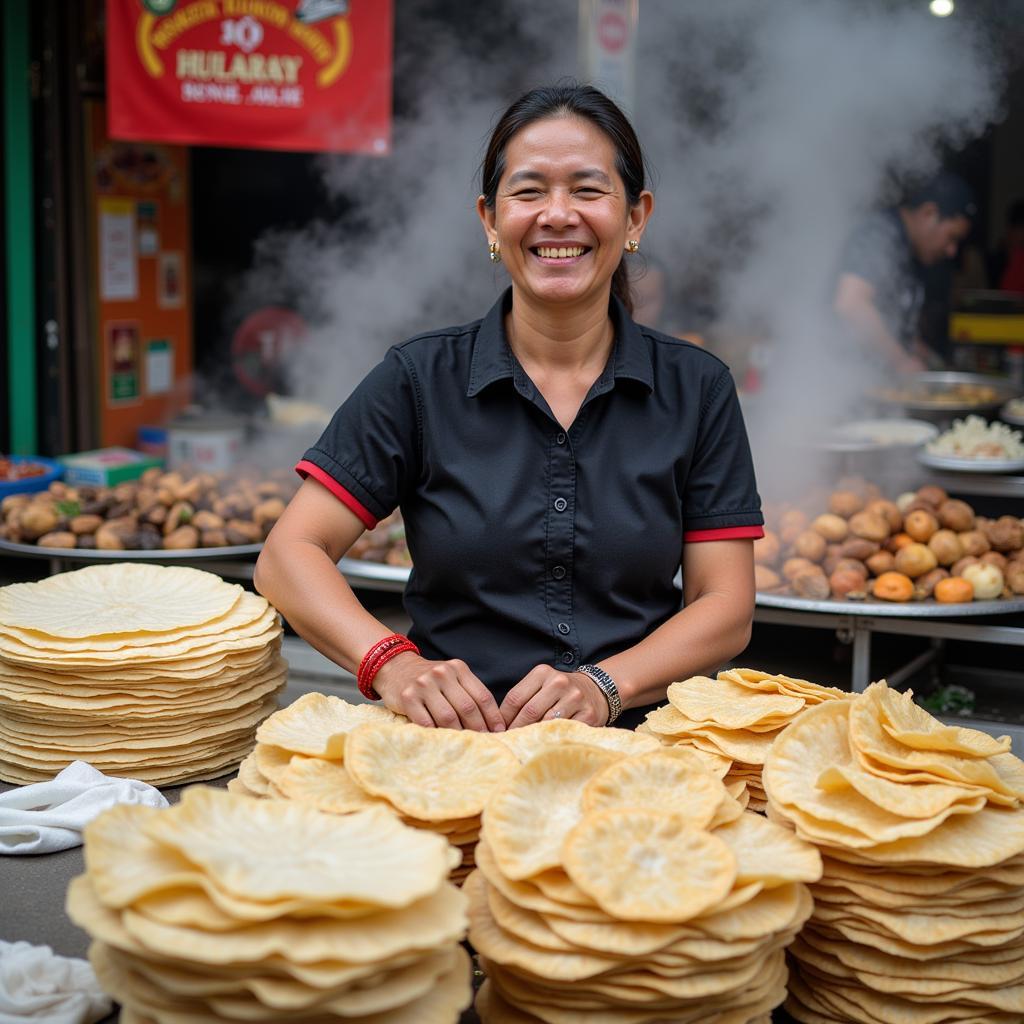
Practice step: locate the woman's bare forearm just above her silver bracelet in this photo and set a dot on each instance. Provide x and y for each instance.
(696, 642)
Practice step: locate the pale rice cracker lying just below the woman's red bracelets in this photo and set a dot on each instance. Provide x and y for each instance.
(317, 724)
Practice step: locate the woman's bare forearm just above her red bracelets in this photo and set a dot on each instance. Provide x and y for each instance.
(304, 584)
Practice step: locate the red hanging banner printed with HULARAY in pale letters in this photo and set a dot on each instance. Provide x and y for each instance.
(308, 75)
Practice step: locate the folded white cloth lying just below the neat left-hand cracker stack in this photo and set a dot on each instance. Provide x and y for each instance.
(46, 818)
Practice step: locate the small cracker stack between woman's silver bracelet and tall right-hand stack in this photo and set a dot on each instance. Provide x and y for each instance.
(736, 718)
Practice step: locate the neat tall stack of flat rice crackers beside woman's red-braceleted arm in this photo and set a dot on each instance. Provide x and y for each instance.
(157, 673)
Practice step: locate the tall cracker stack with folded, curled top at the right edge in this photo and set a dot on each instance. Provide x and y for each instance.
(920, 914)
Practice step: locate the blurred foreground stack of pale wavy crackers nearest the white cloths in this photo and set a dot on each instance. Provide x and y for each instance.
(228, 909)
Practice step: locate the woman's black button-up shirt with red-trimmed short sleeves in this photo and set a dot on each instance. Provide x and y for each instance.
(533, 544)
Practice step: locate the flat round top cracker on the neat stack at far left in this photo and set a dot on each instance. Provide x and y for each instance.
(124, 598)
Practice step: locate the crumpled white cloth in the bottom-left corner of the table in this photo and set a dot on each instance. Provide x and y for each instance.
(36, 986)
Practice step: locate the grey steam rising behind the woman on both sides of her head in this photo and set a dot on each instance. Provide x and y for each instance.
(771, 129)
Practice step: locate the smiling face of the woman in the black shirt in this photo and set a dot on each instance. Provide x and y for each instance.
(562, 218)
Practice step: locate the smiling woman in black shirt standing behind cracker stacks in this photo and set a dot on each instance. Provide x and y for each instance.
(556, 464)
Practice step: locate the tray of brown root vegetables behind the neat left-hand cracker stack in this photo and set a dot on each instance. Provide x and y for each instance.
(161, 516)
